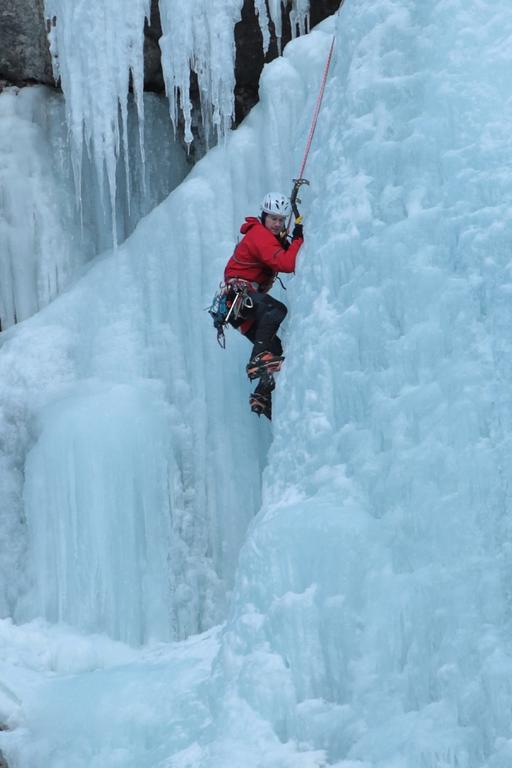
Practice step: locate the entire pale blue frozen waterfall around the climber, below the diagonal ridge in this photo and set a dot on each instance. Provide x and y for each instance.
(347, 567)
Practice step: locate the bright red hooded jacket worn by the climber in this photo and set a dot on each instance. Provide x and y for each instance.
(259, 256)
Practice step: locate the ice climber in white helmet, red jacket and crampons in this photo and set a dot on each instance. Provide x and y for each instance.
(265, 250)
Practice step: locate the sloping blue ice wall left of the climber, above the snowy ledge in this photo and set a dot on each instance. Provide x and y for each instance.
(125, 364)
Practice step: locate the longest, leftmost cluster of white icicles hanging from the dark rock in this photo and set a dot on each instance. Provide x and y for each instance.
(94, 48)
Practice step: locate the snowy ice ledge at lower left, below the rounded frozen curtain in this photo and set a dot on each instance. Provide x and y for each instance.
(89, 702)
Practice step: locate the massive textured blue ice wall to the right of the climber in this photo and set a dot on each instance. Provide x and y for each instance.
(371, 617)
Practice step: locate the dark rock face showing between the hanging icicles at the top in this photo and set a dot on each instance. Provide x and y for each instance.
(25, 58)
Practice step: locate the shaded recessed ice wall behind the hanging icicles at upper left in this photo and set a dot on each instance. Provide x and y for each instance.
(46, 235)
